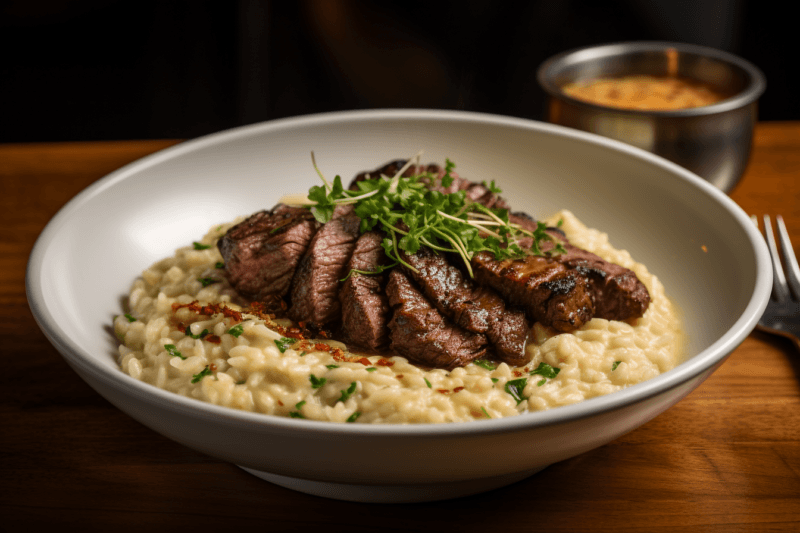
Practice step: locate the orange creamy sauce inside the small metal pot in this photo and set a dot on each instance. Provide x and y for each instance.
(644, 93)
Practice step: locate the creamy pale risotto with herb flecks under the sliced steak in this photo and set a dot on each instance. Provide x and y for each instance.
(242, 360)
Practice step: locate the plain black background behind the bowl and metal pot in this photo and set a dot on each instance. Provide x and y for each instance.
(91, 70)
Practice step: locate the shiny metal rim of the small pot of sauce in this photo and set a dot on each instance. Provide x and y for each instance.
(750, 94)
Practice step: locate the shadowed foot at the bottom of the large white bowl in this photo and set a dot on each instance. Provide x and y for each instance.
(410, 493)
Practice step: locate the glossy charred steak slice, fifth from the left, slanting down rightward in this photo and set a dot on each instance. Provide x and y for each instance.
(473, 307)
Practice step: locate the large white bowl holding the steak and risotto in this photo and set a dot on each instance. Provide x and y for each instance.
(87, 257)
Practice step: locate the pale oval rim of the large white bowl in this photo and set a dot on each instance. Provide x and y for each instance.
(699, 363)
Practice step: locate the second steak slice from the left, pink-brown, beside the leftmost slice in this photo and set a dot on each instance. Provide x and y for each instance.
(315, 286)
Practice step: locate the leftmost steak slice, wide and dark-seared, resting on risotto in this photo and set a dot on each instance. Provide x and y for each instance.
(262, 252)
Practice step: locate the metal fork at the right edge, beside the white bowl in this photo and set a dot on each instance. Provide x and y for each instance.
(782, 316)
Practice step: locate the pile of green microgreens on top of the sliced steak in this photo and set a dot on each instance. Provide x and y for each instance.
(411, 215)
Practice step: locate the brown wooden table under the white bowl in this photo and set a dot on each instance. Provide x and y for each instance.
(726, 458)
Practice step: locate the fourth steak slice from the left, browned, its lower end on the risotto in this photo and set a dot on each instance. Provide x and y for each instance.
(421, 334)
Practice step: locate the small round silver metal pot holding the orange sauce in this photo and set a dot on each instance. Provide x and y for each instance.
(713, 141)
